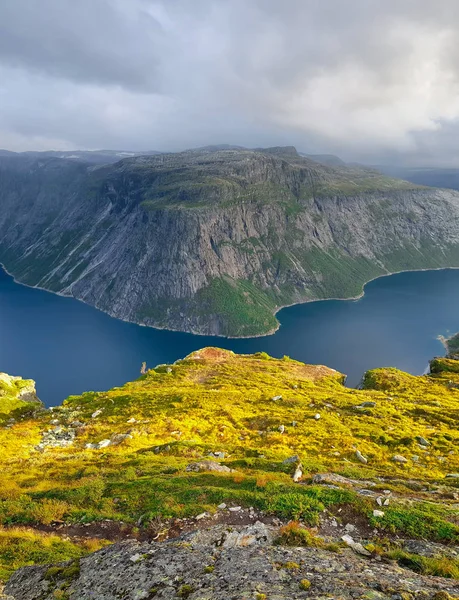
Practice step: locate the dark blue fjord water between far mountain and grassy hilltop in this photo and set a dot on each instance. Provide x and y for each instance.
(68, 347)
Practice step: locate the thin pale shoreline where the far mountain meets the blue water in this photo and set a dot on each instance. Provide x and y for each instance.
(442, 339)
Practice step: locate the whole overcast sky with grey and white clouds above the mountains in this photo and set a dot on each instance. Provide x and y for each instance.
(370, 80)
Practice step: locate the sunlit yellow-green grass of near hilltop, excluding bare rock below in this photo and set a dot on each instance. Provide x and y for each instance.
(256, 411)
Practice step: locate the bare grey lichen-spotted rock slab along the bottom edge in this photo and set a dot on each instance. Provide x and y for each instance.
(217, 564)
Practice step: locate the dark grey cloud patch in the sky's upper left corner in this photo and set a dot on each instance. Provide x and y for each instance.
(95, 41)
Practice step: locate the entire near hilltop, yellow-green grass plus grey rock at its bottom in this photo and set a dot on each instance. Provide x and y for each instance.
(334, 475)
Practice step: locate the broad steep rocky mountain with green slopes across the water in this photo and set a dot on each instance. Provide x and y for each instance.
(215, 241)
